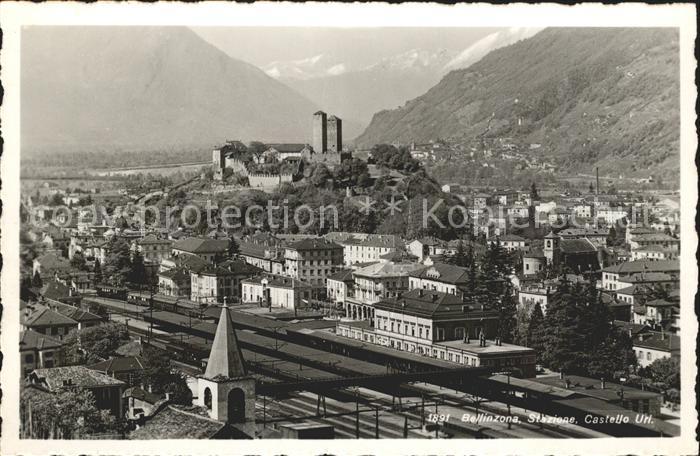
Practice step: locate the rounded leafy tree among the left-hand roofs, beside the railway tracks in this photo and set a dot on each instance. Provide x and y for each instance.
(93, 344)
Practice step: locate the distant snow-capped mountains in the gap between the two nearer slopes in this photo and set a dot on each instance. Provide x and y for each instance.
(357, 93)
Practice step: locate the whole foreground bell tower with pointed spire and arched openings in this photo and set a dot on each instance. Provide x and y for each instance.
(226, 389)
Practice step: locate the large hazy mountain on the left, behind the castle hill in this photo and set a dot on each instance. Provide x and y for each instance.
(111, 88)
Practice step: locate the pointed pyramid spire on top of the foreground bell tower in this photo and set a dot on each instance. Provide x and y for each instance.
(225, 358)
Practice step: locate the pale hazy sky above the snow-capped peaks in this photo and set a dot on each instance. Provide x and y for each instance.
(355, 46)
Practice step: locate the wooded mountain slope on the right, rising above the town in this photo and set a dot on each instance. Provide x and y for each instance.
(606, 97)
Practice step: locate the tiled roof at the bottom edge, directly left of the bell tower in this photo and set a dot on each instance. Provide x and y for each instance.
(178, 422)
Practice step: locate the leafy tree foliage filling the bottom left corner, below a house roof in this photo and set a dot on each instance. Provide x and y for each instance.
(66, 414)
